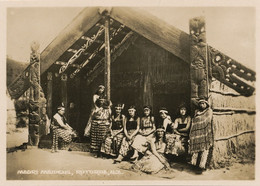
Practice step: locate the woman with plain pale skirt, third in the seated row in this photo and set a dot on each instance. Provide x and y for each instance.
(146, 132)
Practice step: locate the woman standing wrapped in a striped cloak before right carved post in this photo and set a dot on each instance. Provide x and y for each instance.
(201, 135)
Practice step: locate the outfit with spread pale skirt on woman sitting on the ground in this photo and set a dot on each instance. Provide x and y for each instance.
(150, 163)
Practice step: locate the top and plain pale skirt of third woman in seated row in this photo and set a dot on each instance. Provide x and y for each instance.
(140, 142)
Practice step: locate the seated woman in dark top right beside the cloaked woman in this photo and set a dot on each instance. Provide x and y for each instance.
(181, 130)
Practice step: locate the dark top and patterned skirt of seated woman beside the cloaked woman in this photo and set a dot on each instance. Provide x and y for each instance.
(179, 144)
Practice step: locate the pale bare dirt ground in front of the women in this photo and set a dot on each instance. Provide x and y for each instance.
(41, 164)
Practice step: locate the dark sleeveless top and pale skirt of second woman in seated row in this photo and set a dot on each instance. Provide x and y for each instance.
(131, 126)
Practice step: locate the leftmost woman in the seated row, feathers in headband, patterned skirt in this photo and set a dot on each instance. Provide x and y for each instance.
(113, 141)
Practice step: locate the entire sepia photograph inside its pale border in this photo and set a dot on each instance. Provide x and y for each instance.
(130, 93)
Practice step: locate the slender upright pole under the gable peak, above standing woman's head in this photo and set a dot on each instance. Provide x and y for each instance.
(107, 57)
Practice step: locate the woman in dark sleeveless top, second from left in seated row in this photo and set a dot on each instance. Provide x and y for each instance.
(131, 128)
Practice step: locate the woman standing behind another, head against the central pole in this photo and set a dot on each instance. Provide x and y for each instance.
(99, 94)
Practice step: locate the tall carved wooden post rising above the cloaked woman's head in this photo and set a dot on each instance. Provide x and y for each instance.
(198, 57)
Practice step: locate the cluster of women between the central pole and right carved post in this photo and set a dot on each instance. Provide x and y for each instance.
(144, 140)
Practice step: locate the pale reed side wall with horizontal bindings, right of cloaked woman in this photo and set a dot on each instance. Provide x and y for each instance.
(233, 124)
